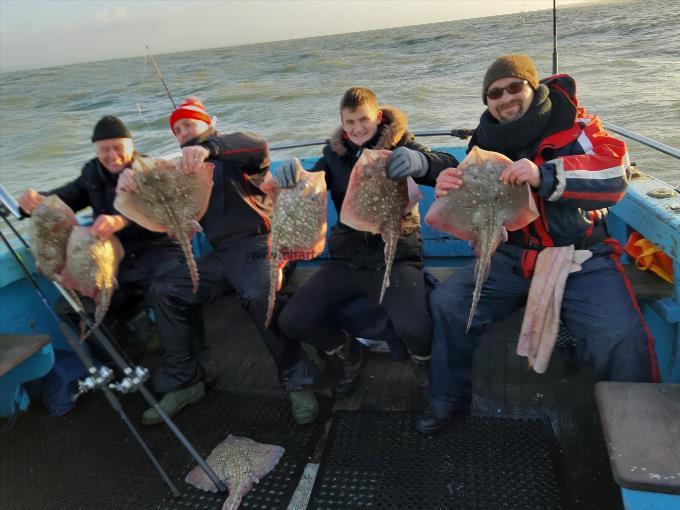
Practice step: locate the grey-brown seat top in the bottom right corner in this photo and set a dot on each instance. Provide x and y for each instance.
(641, 423)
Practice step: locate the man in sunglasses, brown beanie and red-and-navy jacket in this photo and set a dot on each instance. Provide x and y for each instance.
(575, 171)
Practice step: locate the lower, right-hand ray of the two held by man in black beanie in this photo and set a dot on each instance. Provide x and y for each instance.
(91, 268)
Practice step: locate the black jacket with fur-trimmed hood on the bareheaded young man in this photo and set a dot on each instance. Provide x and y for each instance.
(362, 249)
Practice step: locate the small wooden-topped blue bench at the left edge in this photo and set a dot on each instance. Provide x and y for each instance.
(22, 358)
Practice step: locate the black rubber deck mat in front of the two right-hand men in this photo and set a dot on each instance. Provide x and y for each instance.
(377, 460)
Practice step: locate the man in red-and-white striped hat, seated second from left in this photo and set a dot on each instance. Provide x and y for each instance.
(237, 224)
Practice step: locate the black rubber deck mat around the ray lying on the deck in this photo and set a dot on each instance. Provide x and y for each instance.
(88, 459)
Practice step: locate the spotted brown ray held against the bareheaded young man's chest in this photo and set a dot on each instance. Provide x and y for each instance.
(373, 203)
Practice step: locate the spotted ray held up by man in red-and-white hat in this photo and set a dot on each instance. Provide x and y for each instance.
(169, 200)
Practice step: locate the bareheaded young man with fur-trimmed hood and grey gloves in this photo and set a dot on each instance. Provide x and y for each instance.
(357, 258)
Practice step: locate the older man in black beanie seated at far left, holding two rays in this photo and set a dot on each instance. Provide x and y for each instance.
(147, 254)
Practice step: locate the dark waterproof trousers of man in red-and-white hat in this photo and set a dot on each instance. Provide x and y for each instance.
(241, 265)
